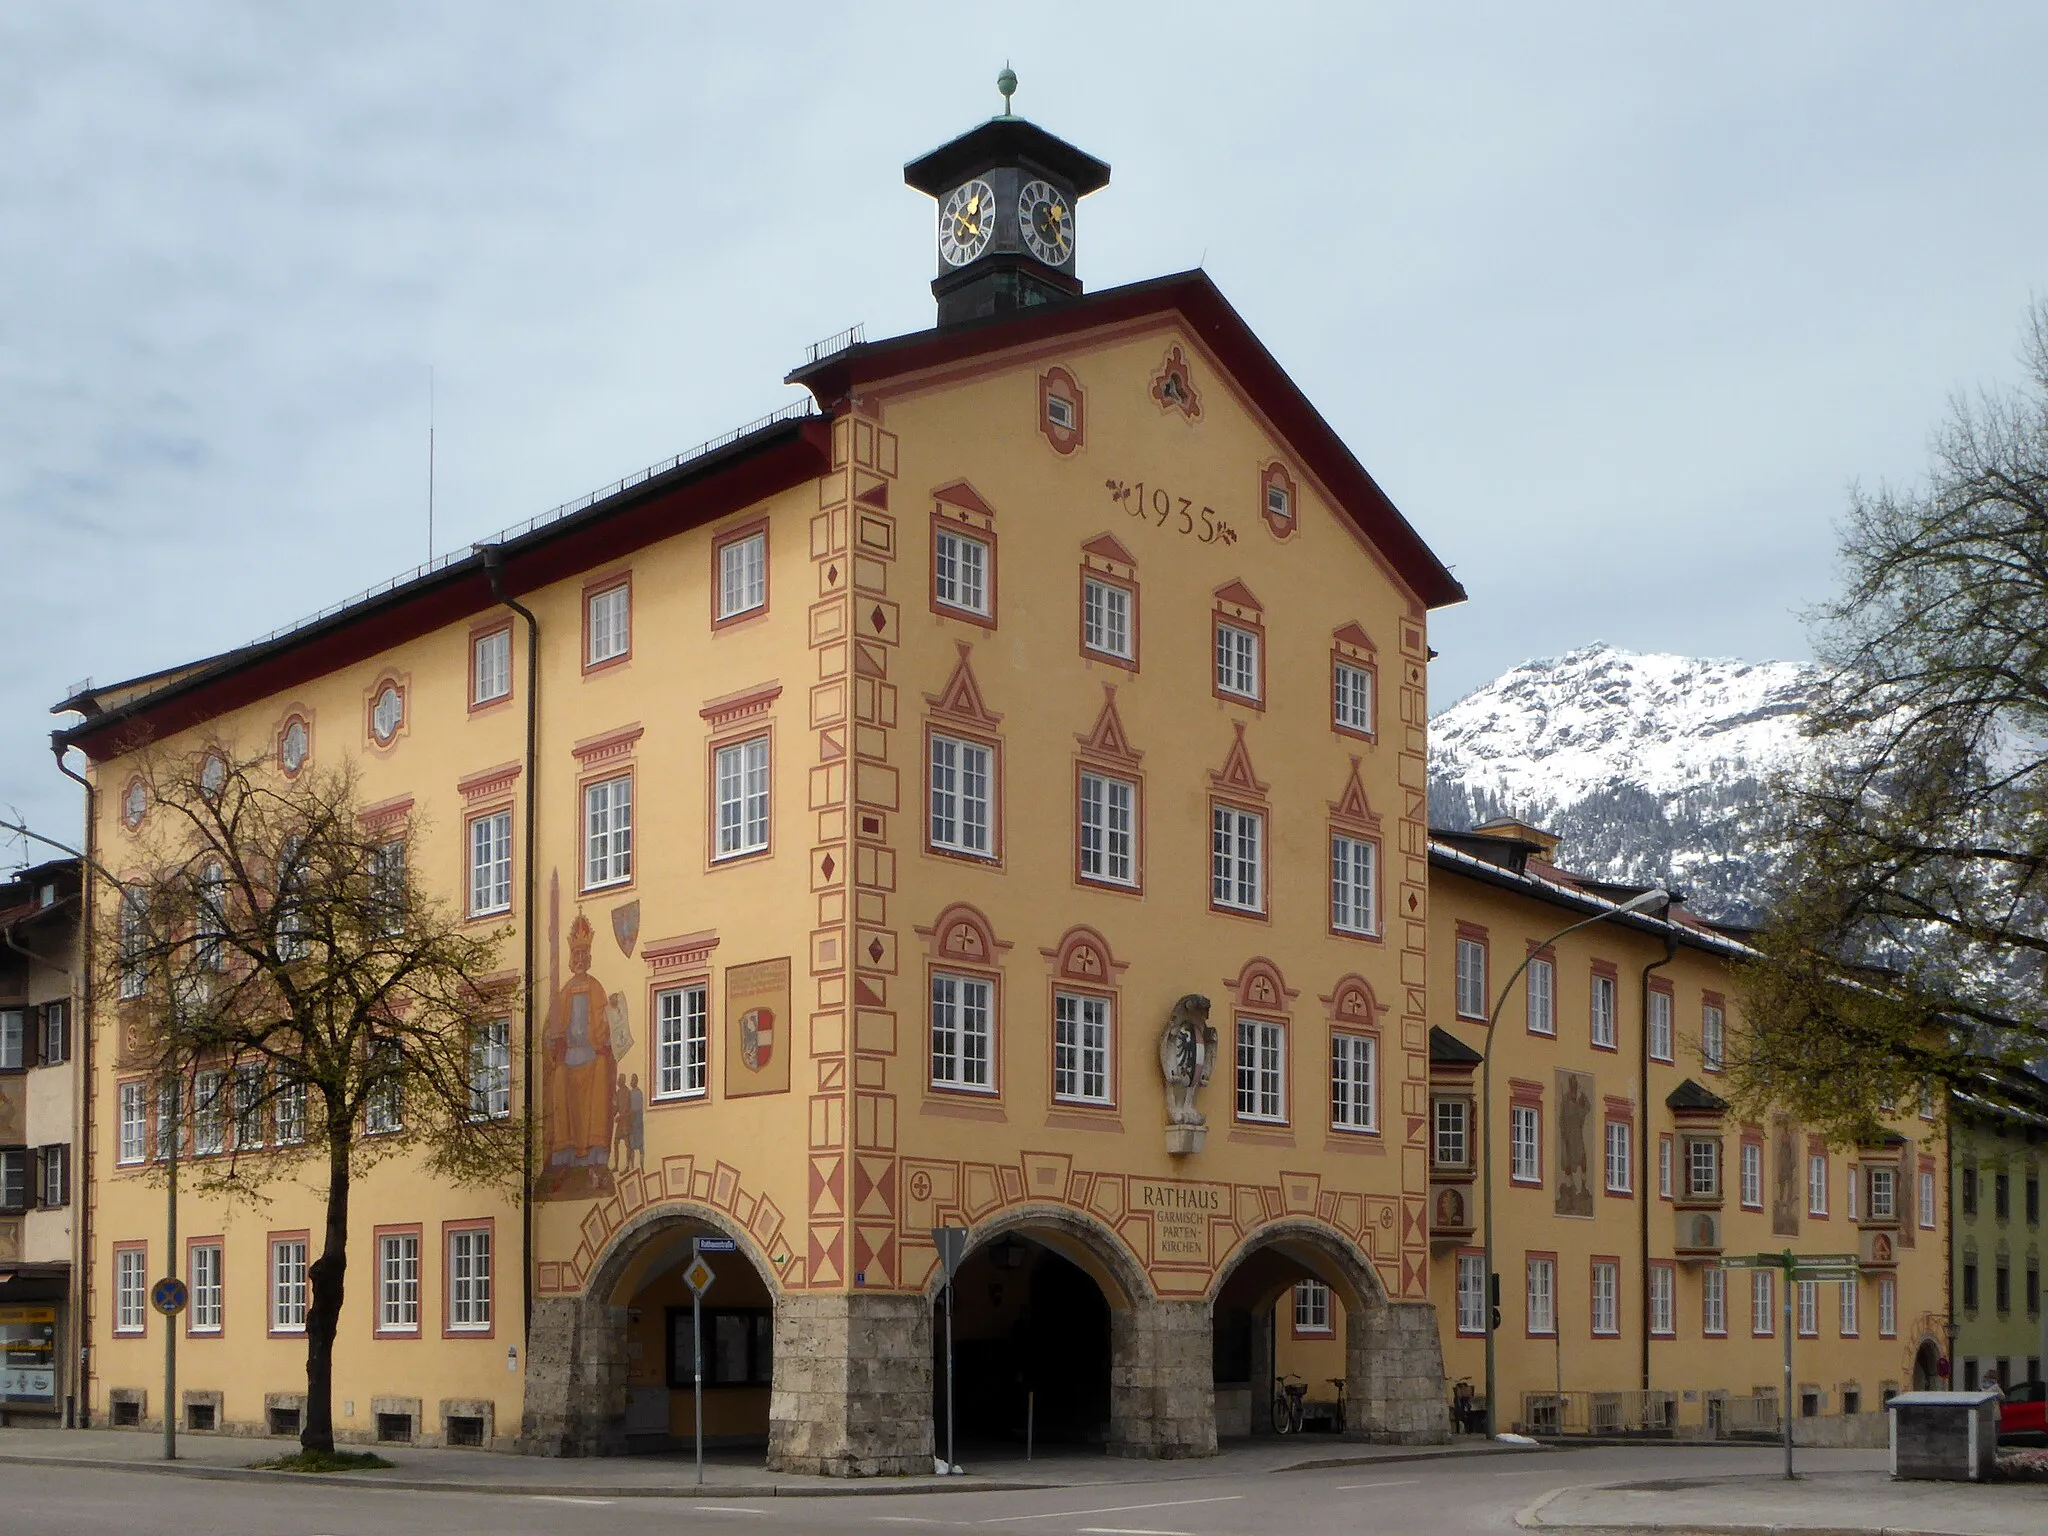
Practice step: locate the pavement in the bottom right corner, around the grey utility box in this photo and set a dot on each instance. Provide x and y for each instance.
(1764, 1506)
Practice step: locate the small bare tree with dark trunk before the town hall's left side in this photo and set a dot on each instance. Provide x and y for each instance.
(280, 970)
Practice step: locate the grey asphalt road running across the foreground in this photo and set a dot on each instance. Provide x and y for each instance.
(1453, 1498)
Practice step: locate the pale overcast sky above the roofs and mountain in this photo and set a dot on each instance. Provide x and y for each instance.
(1615, 304)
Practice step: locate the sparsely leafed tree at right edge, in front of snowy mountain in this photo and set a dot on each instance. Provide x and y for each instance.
(1920, 843)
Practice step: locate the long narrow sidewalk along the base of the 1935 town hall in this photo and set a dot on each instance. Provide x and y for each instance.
(726, 1474)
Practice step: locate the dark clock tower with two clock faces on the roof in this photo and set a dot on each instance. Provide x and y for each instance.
(1007, 198)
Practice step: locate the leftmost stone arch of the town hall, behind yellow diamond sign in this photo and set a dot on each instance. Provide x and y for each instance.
(579, 1357)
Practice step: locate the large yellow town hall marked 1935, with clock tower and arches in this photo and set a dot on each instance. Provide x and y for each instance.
(906, 808)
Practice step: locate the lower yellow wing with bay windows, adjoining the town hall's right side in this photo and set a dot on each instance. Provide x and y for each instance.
(1623, 1181)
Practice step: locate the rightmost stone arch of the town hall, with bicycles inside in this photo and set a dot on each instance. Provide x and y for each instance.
(1394, 1357)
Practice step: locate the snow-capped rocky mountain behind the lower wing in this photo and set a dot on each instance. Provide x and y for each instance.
(1648, 767)
